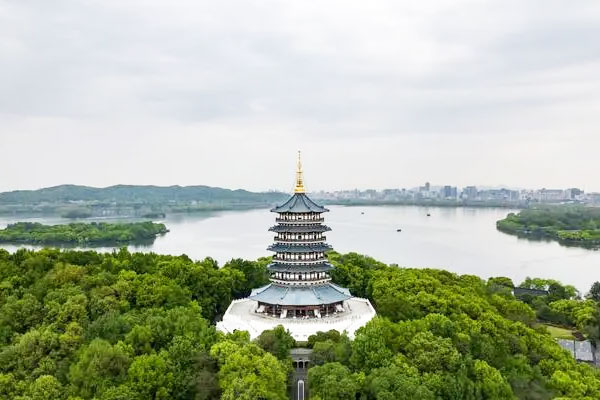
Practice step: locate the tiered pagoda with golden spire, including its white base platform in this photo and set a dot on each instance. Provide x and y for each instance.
(300, 295)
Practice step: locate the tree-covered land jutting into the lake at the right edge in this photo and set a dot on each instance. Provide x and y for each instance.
(569, 225)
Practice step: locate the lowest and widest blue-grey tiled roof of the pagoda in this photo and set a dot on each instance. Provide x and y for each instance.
(327, 293)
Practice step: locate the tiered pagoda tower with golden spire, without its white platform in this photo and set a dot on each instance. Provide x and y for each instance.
(300, 283)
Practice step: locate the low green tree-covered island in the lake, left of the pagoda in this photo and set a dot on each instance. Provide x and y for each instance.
(82, 234)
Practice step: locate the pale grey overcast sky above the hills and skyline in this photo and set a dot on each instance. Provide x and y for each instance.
(376, 94)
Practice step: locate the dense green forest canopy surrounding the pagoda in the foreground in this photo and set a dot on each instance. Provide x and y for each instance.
(83, 325)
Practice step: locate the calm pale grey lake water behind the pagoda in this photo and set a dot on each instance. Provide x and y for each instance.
(462, 240)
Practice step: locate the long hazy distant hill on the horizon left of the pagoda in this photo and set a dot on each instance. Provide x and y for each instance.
(137, 194)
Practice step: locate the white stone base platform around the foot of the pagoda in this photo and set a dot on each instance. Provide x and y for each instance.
(242, 315)
